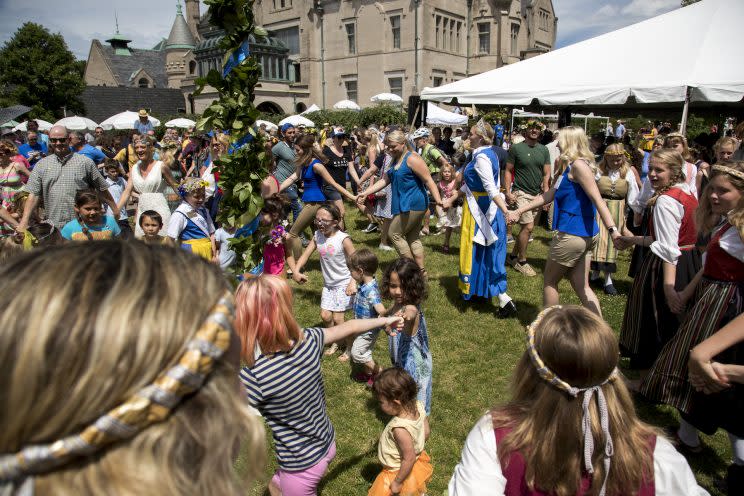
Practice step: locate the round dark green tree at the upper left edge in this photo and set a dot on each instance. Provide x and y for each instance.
(38, 70)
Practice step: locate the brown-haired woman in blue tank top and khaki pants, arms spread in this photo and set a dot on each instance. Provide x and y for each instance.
(314, 175)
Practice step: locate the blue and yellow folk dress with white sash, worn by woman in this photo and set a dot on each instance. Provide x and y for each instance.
(483, 230)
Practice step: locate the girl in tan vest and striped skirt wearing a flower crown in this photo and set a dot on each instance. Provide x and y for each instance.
(618, 187)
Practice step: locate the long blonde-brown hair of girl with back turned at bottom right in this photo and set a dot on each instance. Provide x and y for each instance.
(545, 422)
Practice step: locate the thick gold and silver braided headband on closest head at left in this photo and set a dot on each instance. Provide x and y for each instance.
(150, 405)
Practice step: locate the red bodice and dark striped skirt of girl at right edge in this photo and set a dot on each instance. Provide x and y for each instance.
(719, 300)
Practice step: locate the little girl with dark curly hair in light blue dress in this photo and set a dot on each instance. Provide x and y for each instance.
(409, 348)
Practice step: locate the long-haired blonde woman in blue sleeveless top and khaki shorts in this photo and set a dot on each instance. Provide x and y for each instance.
(577, 201)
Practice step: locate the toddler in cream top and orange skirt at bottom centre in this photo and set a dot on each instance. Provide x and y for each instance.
(406, 466)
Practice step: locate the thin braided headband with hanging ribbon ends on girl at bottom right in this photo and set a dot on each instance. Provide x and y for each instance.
(586, 422)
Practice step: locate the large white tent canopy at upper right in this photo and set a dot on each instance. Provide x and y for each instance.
(584, 75)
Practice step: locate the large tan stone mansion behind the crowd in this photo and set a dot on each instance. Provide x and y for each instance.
(322, 51)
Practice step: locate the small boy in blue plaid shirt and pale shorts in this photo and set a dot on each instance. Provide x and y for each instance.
(367, 305)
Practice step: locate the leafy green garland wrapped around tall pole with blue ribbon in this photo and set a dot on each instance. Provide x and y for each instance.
(243, 169)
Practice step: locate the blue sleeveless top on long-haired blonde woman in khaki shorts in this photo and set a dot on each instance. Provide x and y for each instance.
(573, 211)
